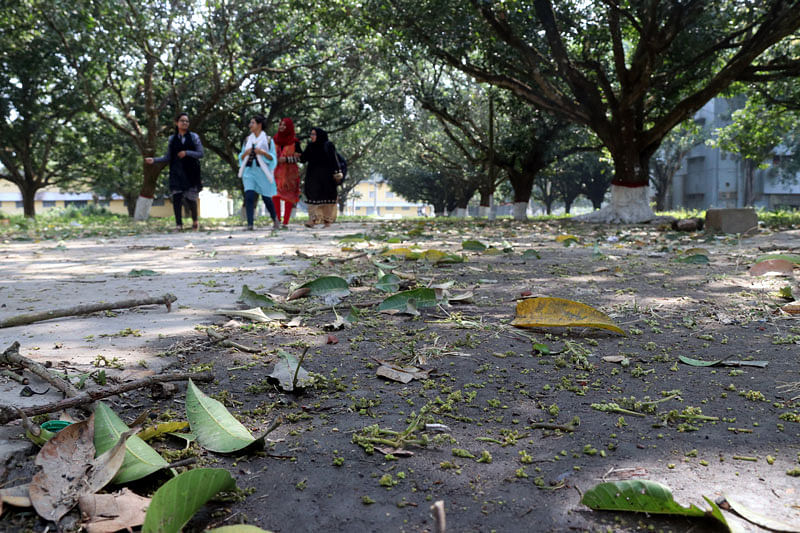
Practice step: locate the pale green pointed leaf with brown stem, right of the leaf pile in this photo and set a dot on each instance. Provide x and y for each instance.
(217, 430)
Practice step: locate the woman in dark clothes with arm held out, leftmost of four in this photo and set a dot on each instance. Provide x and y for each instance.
(184, 151)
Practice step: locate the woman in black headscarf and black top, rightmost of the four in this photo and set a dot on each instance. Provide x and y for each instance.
(320, 186)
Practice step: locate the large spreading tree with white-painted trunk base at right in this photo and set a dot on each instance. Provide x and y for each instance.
(628, 71)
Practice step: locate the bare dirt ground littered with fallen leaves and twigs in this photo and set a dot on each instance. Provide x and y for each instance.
(512, 456)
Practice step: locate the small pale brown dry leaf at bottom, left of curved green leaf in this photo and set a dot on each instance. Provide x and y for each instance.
(107, 513)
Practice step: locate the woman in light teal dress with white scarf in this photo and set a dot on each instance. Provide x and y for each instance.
(257, 165)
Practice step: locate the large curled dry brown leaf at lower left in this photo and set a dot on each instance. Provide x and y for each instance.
(69, 469)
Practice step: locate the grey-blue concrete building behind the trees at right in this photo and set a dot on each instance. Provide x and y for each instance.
(710, 177)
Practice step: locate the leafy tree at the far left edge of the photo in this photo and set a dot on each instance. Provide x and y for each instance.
(37, 103)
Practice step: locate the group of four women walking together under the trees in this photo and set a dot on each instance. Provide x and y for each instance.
(268, 167)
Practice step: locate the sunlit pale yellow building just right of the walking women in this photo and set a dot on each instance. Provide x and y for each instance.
(374, 198)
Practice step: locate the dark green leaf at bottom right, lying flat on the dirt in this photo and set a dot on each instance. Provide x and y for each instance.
(641, 496)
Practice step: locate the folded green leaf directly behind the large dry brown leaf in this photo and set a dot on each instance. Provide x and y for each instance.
(140, 459)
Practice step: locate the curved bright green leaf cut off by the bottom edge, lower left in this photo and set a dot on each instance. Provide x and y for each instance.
(179, 498)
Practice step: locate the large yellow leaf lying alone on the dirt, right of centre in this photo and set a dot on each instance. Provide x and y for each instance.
(557, 312)
